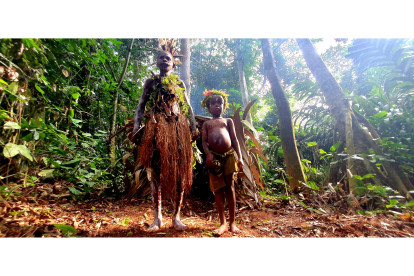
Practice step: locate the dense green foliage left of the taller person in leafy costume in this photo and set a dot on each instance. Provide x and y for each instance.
(66, 87)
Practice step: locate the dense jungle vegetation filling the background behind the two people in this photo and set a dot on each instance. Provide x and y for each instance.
(62, 99)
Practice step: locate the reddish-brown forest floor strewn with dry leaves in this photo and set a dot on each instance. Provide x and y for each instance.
(32, 212)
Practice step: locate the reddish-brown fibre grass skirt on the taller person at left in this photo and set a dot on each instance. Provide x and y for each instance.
(166, 149)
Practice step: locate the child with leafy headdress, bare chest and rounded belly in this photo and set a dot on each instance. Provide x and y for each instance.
(219, 143)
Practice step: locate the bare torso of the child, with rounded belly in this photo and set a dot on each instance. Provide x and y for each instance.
(218, 135)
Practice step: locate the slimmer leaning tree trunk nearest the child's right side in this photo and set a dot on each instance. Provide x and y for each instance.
(287, 133)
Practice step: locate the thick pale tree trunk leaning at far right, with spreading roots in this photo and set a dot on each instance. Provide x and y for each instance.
(357, 140)
